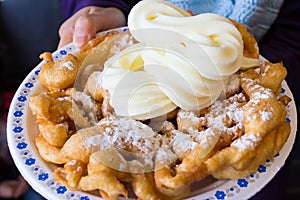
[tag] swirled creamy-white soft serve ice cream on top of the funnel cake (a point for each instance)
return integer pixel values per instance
(179, 61)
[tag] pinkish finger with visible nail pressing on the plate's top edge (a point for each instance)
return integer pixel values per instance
(84, 30)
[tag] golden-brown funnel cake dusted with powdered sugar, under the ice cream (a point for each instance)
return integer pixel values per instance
(97, 150)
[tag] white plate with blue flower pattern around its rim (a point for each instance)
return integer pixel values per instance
(21, 131)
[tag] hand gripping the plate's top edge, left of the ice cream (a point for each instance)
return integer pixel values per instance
(84, 24)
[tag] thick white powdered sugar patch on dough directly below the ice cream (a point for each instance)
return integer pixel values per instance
(139, 140)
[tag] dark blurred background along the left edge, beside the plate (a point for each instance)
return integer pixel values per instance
(27, 29)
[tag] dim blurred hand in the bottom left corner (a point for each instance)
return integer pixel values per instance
(13, 188)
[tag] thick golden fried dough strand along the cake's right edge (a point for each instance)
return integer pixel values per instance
(263, 116)
